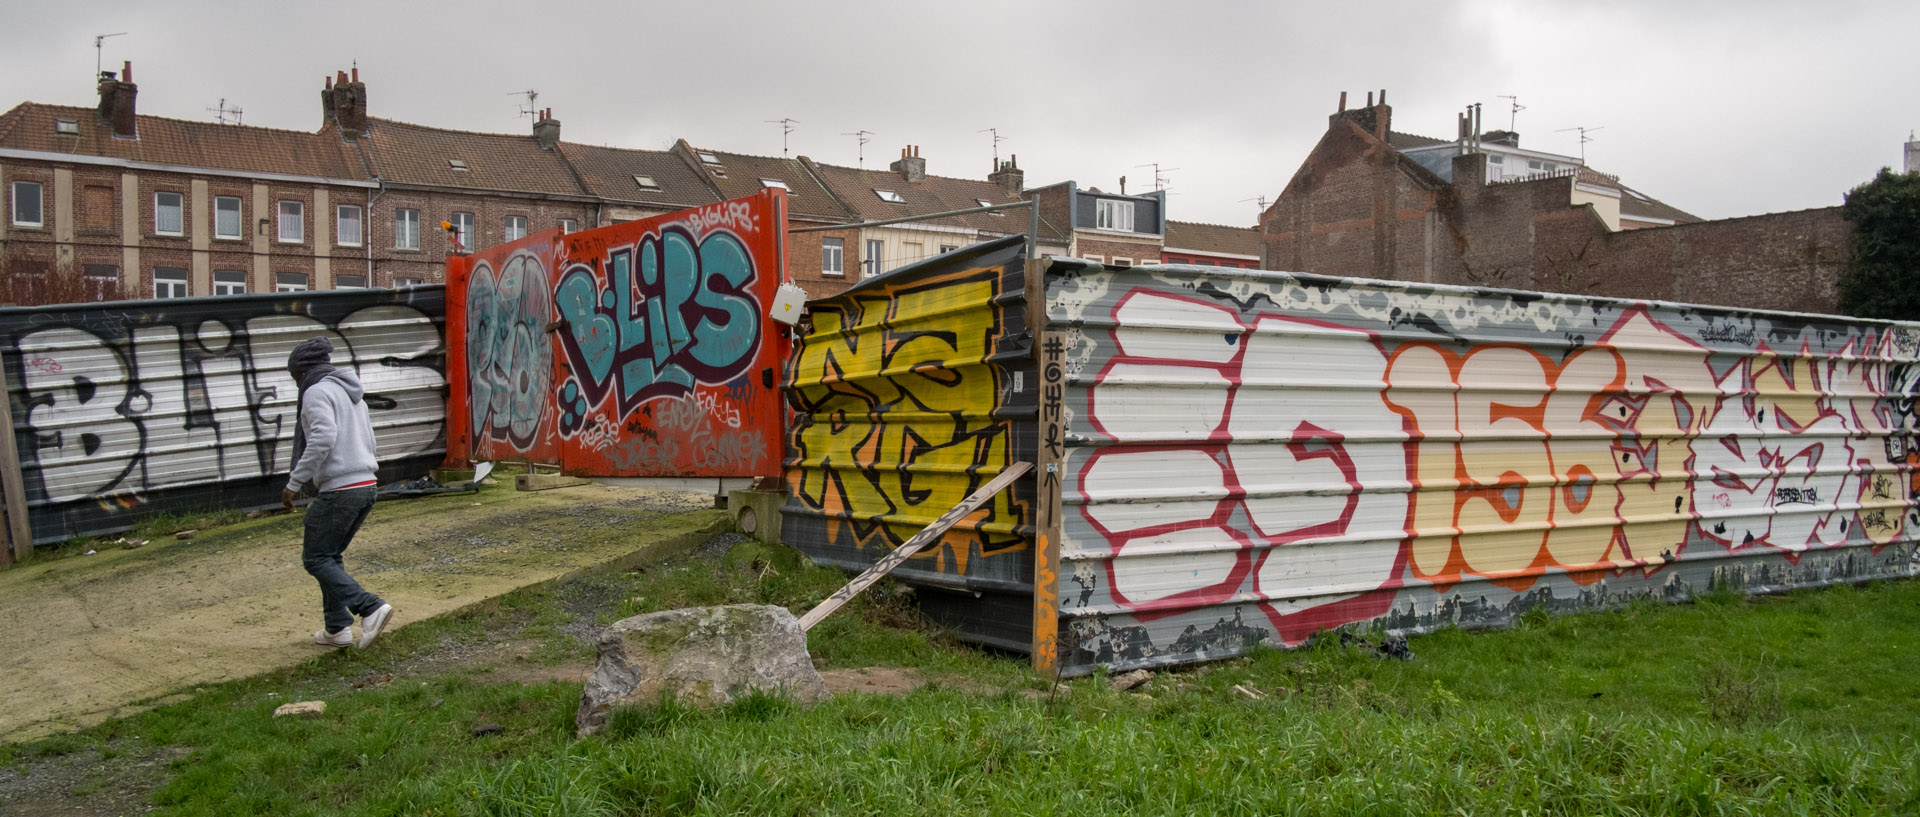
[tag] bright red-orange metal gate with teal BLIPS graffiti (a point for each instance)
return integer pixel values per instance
(629, 350)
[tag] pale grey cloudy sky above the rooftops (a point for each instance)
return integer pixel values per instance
(1719, 108)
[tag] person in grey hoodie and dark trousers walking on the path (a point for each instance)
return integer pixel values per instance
(333, 457)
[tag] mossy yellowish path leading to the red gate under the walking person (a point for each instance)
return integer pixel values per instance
(93, 638)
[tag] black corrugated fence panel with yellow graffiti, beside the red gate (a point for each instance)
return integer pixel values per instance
(913, 390)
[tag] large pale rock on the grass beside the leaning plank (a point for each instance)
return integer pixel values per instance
(704, 657)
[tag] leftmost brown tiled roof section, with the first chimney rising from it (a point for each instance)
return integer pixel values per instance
(183, 143)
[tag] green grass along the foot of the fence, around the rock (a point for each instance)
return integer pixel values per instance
(1731, 707)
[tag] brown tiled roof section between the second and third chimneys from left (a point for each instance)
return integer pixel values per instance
(418, 154)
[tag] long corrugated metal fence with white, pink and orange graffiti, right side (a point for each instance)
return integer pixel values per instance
(1257, 457)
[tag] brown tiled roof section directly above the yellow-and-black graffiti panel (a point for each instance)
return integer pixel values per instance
(932, 195)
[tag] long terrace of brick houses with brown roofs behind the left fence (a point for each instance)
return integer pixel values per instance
(162, 208)
